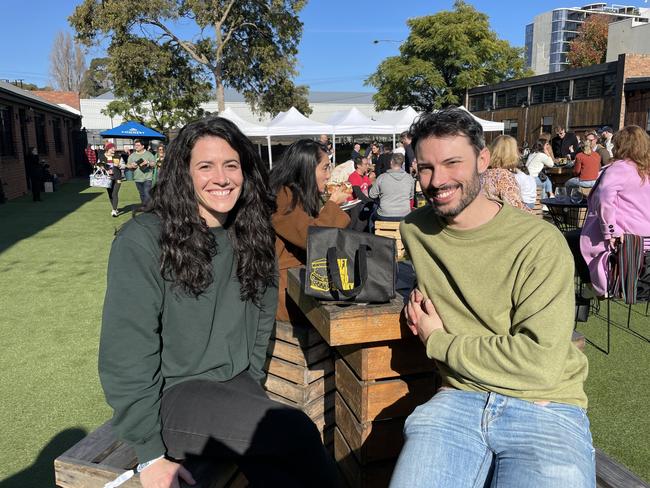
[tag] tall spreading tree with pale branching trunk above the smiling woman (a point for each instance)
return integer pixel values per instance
(250, 46)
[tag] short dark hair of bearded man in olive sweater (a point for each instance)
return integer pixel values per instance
(450, 121)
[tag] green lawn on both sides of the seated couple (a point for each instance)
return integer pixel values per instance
(52, 281)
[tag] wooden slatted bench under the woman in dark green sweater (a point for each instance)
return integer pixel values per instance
(99, 458)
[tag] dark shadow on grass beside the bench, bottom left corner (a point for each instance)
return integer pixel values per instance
(41, 473)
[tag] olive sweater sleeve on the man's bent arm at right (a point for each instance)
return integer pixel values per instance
(532, 356)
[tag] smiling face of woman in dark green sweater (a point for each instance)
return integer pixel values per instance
(217, 176)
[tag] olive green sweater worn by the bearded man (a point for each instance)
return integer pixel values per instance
(504, 292)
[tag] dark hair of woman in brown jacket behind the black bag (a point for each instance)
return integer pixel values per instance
(297, 171)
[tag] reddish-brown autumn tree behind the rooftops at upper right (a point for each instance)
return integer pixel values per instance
(590, 45)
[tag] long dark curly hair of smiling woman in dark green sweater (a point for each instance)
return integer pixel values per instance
(187, 245)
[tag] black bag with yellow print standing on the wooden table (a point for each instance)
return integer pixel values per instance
(349, 266)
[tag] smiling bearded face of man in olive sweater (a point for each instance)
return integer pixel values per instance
(449, 173)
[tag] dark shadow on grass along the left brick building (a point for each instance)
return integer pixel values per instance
(22, 218)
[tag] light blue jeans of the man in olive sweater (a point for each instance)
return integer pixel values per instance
(470, 439)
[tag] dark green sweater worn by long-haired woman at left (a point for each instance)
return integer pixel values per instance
(155, 336)
